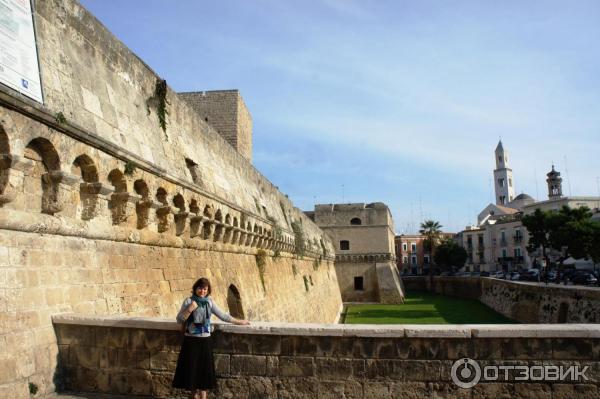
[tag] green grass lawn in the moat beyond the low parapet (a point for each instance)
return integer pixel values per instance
(422, 307)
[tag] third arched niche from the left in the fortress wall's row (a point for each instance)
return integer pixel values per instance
(88, 190)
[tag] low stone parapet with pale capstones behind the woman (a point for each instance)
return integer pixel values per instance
(137, 356)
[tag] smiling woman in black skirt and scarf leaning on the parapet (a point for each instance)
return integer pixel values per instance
(195, 366)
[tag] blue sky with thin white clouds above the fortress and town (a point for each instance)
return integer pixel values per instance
(401, 102)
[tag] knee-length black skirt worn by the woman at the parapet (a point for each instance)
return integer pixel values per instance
(195, 365)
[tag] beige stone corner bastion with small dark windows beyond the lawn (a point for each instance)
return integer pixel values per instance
(363, 236)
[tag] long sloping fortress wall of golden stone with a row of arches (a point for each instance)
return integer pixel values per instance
(103, 212)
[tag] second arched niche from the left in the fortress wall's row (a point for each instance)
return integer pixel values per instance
(46, 167)
